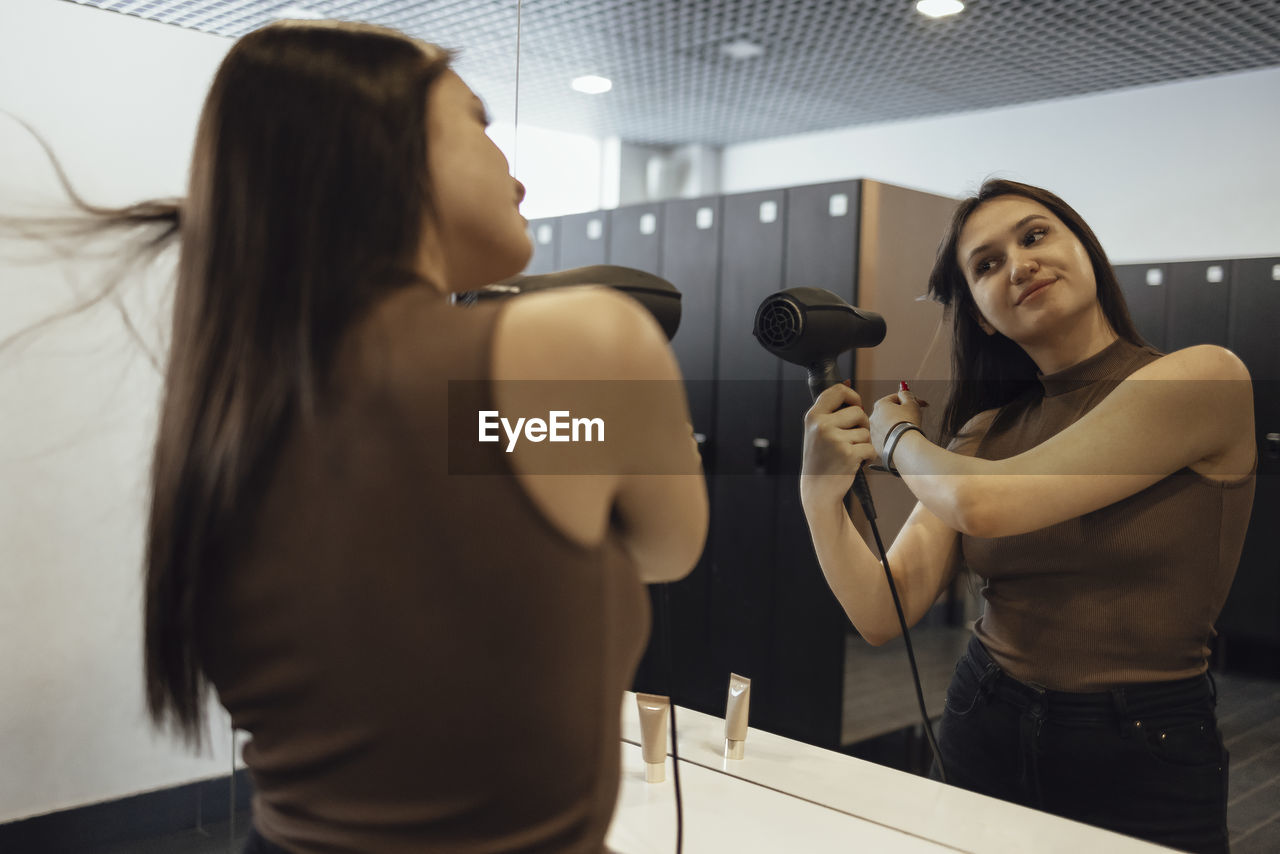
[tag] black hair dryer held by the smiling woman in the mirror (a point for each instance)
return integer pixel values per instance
(812, 327)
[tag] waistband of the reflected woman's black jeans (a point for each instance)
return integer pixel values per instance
(1127, 701)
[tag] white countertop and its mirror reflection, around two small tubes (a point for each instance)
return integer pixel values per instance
(787, 796)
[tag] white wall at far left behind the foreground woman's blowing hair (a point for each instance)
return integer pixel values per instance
(117, 99)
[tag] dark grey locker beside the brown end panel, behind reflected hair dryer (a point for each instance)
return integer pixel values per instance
(808, 669)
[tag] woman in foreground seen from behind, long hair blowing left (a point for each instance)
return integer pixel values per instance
(426, 636)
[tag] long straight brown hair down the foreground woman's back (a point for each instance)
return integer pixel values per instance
(308, 202)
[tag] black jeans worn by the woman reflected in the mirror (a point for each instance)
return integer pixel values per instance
(1141, 760)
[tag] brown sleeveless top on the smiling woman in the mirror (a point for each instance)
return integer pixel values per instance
(1127, 593)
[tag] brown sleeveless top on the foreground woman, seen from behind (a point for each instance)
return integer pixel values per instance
(423, 663)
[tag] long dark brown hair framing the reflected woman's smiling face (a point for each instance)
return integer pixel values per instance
(991, 371)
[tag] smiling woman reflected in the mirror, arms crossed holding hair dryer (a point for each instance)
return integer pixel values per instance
(1085, 691)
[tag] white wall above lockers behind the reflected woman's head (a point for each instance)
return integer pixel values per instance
(1182, 171)
